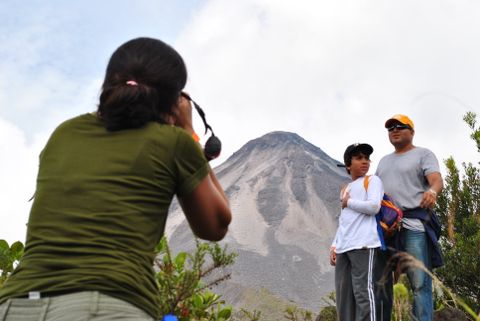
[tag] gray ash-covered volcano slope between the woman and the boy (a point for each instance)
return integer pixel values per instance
(284, 195)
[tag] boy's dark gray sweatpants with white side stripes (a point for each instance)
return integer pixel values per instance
(358, 291)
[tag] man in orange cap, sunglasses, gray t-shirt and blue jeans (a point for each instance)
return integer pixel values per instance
(411, 176)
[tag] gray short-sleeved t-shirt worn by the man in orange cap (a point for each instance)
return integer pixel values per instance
(404, 178)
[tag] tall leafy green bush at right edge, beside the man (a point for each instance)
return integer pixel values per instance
(458, 208)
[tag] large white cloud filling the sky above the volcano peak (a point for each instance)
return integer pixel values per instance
(335, 71)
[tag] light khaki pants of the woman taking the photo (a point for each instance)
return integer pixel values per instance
(79, 306)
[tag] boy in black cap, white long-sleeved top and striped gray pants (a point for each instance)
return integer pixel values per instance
(355, 251)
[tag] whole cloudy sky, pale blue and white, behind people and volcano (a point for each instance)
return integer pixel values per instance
(331, 71)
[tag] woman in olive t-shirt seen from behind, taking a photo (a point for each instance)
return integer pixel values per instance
(104, 186)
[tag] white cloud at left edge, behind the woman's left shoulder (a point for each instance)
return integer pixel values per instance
(21, 143)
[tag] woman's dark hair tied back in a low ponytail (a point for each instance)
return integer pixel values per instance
(155, 73)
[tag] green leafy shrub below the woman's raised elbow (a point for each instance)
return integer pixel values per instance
(182, 289)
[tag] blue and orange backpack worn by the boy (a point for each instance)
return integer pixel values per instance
(389, 217)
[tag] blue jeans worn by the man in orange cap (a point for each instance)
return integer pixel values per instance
(416, 244)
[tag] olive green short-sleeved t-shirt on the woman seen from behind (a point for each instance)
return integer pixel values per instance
(100, 208)
